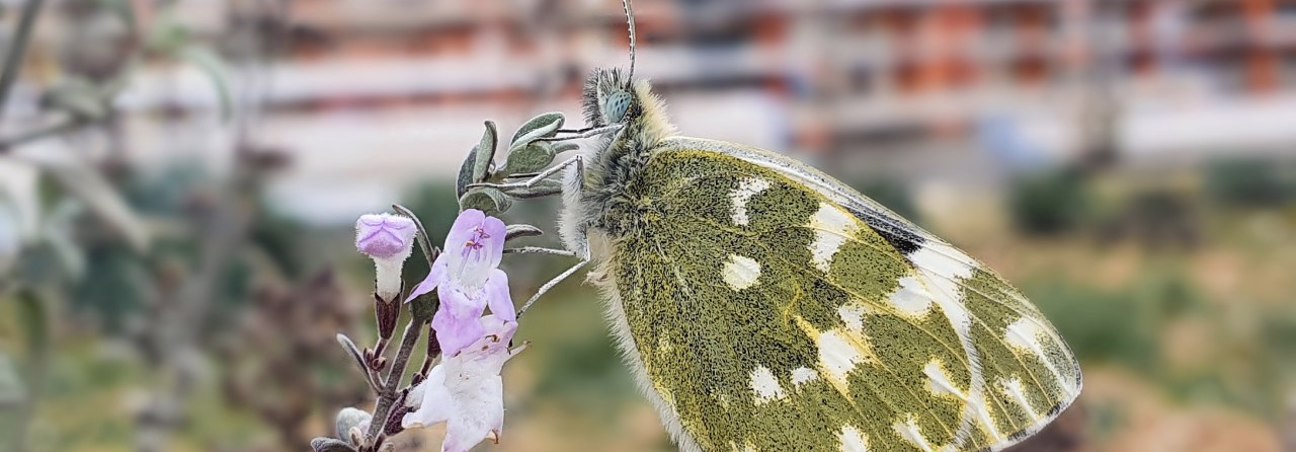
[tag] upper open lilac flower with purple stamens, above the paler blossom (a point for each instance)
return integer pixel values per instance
(467, 280)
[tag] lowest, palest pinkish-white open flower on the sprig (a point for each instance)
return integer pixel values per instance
(466, 390)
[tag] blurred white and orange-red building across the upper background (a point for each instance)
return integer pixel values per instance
(373, 96)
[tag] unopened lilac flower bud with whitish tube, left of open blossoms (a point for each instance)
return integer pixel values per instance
(388, 240)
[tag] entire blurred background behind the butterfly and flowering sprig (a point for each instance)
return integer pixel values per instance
(179, 179)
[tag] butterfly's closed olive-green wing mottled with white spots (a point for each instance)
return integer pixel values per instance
(777, 315)
